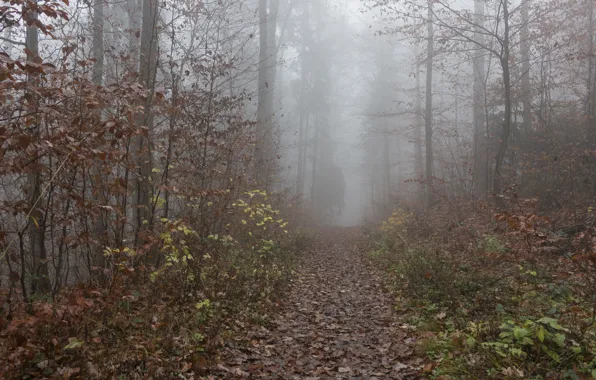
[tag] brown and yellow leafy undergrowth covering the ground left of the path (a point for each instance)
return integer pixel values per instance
(165, 311)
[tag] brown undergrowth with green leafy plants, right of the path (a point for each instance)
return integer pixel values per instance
(491, 301)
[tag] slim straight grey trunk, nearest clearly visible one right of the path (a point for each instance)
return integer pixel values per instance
(428, 128)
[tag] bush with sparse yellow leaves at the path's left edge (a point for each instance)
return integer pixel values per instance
(247, 263)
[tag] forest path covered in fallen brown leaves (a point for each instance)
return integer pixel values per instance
(336, 323)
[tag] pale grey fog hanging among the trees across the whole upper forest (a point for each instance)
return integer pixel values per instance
(350, 108)
